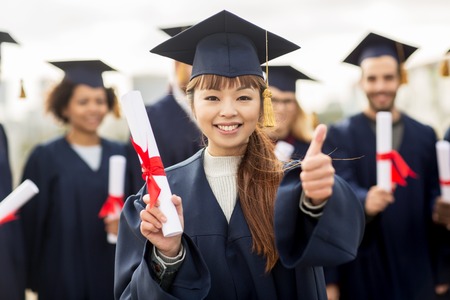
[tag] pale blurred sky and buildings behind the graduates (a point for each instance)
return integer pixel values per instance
(121, 33)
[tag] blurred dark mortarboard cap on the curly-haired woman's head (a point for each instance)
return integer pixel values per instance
(87, 72)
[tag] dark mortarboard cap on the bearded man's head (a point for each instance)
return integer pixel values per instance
(374, 45)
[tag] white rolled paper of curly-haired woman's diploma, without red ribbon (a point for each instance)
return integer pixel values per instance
(116, 183)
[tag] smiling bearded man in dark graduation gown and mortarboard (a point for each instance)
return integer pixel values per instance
(396, 258)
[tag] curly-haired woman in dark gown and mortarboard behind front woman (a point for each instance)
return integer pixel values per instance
(68, 256)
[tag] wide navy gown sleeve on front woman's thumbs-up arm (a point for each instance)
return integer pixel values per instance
(331, 240)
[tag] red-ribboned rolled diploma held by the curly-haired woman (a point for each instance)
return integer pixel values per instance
(116, 187)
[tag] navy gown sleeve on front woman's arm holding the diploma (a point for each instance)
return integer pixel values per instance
(133, 276)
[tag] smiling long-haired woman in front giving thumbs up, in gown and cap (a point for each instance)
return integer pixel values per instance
(252, 228)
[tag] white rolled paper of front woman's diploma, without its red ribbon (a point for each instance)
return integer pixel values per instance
(142, 134)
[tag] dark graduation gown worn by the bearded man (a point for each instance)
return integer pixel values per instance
(395, 259)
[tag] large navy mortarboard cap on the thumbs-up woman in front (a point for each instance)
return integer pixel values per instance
(226, 45)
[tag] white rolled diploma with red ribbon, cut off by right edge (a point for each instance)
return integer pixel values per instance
(443, 157)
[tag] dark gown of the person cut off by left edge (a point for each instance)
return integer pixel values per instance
(12, 264)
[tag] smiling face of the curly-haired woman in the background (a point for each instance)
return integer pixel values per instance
(86, 109)
